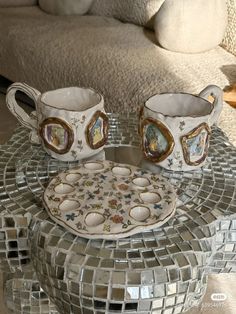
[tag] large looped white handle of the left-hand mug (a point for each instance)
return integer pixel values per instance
(29, 121)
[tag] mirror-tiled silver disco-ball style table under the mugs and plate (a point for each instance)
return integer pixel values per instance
(159, 271)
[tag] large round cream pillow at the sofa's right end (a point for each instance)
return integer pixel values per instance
(191, 26)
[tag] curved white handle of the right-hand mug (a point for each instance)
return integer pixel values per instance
(217, 93)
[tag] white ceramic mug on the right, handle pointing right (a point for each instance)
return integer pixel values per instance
(175, 128)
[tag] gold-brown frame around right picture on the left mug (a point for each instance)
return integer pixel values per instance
(105, 129)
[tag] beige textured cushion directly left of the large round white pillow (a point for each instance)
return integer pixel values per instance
(140, 12)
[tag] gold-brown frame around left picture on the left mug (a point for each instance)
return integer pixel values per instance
(65, 126)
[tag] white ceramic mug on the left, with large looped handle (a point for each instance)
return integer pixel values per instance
(71, 123)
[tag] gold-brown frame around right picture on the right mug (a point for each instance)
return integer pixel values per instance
(195, 132)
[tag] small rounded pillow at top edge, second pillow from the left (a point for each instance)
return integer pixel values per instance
(65, 7)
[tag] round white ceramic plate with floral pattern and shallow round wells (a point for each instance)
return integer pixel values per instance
(103, 199)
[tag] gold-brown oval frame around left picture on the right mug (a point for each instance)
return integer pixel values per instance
(165, 131)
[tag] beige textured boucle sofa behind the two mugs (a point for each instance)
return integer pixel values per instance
(121, 60)
